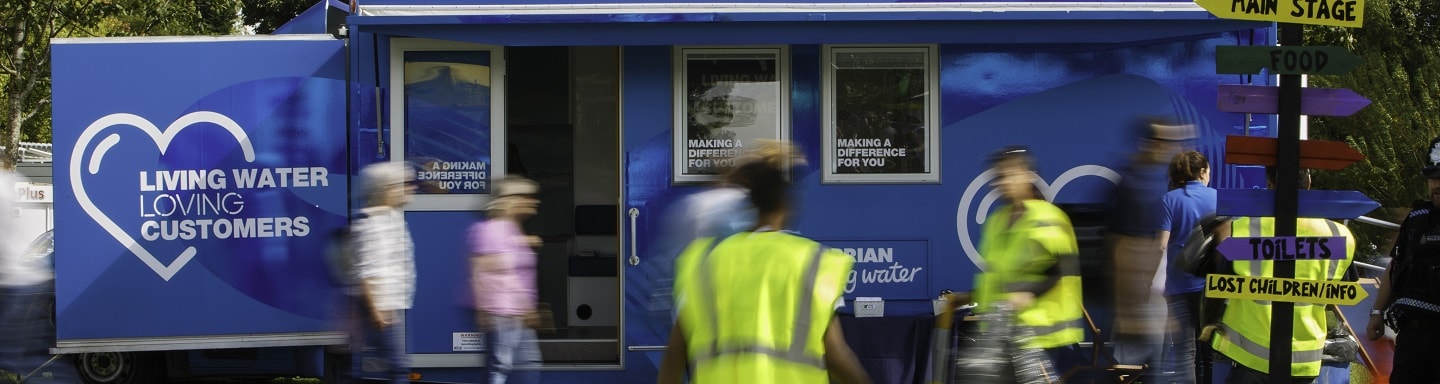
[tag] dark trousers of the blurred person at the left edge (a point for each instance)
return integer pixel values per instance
(27, 334)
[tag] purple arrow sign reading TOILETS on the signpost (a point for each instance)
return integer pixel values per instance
(1284, 248)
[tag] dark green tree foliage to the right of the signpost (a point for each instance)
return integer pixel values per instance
(1400, 48)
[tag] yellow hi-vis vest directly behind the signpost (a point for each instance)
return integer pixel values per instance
(1245, 329)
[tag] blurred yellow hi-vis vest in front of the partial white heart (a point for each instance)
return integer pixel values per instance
(1017, 255)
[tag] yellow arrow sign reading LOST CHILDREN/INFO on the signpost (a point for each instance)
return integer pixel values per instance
(1232, 287)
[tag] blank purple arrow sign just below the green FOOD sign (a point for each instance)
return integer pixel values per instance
(1266, 100)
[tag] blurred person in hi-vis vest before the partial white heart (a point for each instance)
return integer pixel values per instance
(1032, 261)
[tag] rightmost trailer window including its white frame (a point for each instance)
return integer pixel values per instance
(881, 114)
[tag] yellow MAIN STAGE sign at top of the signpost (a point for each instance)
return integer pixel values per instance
(1341, 14)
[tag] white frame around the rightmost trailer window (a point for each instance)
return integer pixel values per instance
(932, 126)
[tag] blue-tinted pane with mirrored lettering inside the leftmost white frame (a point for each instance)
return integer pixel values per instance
(449, 107)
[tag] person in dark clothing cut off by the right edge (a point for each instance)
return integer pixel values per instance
(1409, 298)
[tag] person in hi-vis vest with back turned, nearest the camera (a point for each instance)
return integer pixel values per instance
(760, 306)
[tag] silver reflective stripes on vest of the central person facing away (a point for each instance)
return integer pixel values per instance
(797, 352)
